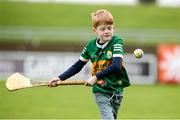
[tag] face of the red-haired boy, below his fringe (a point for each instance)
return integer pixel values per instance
(104, 32)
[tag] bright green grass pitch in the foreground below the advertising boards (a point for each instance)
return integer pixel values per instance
(70, 102)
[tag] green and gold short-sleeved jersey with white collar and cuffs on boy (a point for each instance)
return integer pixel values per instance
(101, 57)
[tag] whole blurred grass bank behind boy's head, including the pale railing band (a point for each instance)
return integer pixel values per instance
(38, 19)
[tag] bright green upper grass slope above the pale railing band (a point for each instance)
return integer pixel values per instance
(69, 15)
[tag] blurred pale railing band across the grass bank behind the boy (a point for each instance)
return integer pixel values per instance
(52, 33)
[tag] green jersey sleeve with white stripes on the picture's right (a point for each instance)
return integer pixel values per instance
(118, 50)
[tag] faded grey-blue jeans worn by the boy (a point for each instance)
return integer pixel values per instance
(108, 105)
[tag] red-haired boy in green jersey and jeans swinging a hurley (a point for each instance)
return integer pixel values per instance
(109, 77)
